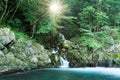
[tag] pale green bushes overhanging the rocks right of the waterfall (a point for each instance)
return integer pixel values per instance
(98, 40)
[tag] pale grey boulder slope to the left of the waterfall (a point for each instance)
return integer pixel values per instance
(17, 53)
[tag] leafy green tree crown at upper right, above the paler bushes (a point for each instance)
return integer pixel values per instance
(89, 18)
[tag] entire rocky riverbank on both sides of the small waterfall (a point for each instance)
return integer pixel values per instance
(19, 54)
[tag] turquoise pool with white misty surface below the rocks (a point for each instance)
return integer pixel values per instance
(66, 74)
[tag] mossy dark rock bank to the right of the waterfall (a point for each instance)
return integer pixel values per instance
(81, 56)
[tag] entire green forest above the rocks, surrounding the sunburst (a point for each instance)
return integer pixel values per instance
(93, 24)
